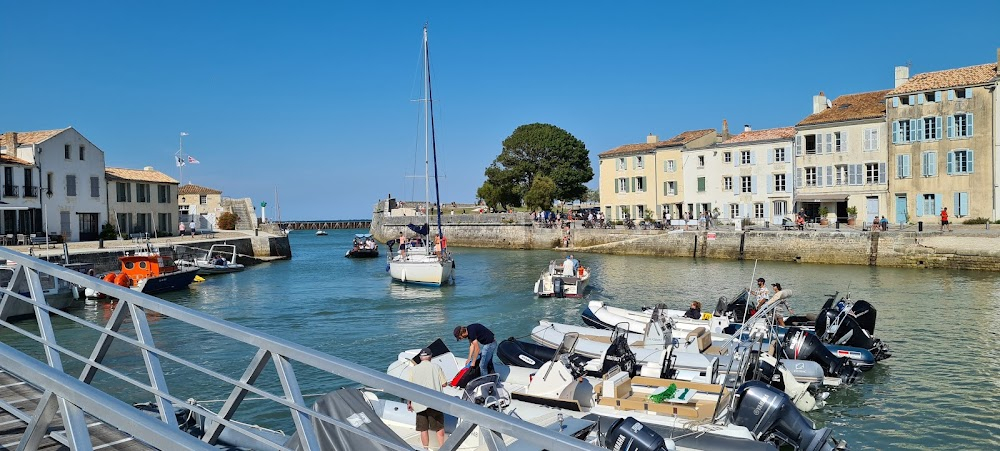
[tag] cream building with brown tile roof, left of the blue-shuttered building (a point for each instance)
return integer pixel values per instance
(841, 158)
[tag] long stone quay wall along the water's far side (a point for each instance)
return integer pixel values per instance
(964, 249)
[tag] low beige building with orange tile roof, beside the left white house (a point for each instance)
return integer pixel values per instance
(142, 201)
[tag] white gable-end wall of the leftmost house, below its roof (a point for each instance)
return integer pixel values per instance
(62, 203)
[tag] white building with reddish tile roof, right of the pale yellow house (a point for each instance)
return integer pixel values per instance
(754, 175)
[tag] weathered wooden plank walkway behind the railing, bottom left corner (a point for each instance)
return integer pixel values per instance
(18, 396)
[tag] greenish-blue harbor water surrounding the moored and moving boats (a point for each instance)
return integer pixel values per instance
(938, 391)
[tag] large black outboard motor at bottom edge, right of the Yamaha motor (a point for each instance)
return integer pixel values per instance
(772, 417)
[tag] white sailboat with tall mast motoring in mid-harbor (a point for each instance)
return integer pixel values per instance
(425, 262)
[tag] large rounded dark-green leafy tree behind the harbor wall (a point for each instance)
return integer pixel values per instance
(535, 150)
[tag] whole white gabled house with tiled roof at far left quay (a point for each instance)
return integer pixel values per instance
(64, 173)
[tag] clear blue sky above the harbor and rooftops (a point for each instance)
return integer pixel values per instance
(315, 99)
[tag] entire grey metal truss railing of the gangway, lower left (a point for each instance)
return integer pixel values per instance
(78, 394)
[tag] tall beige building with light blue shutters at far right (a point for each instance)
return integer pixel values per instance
(941, 147)
